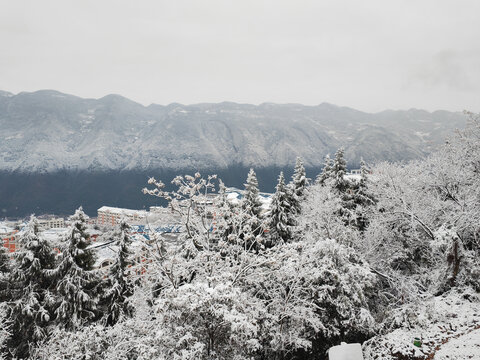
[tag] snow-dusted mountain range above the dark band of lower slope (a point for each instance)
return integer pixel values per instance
(46, 131)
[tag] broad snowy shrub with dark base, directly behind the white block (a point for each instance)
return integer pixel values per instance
(316, 293)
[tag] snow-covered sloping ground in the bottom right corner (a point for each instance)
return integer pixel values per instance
(449, 328)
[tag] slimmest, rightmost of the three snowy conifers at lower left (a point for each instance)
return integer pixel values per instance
(120, 285)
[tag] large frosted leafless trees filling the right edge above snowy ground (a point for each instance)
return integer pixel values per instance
(424, 232)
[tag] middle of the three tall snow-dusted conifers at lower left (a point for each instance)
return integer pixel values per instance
(78, 284)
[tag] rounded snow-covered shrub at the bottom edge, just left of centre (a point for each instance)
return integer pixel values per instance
(203, 321)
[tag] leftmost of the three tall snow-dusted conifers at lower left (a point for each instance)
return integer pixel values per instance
(31, 301)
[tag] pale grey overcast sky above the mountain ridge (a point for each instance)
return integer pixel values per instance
(371, 54)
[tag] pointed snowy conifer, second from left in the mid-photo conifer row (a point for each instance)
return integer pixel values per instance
(280, 218)
